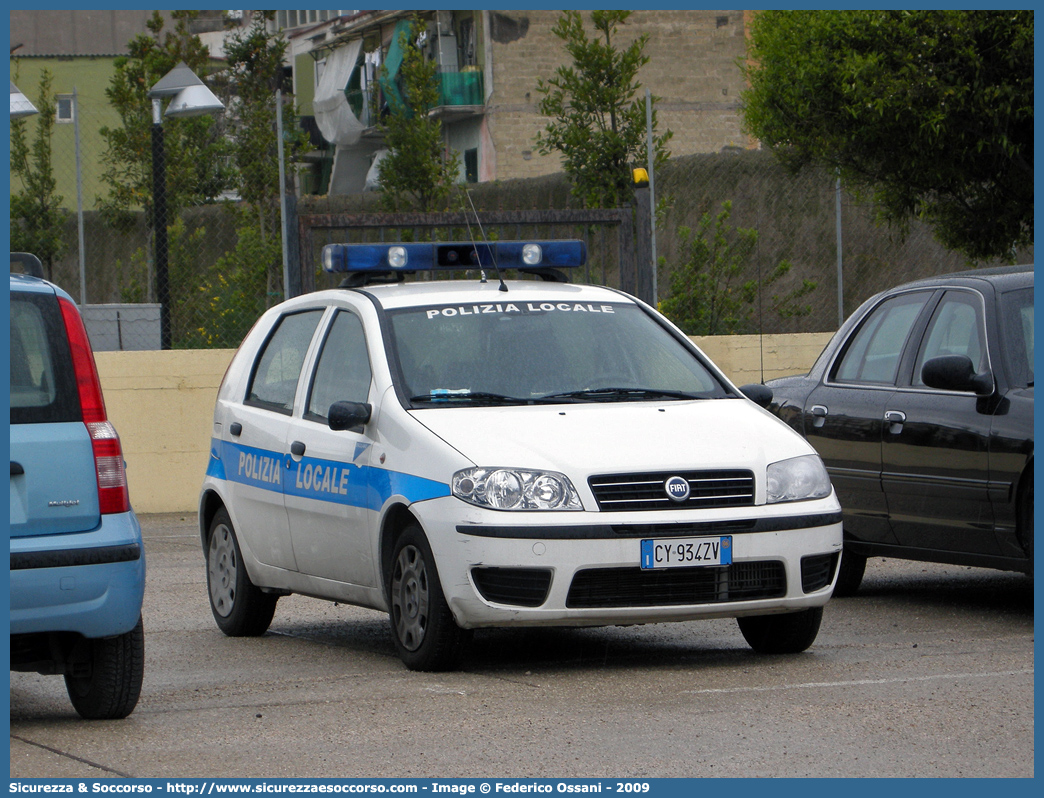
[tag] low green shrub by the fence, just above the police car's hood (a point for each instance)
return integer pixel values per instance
(708, 295)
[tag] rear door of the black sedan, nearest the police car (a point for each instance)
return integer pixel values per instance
(844, 416)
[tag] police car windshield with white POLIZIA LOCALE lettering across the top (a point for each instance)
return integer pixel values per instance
(542, 353)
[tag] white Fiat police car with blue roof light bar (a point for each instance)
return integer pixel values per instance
(470, 454)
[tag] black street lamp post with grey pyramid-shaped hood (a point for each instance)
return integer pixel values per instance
(192, 98)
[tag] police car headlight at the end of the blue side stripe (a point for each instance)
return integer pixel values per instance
(515, 489)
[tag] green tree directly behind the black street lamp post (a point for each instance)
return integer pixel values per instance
(196, 151)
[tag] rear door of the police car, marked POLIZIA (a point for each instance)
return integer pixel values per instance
(254, 436)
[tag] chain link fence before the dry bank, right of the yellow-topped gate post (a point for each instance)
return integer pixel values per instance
(800, 221)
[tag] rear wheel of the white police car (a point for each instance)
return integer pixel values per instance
(240, 607)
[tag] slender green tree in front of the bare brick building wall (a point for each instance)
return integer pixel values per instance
(599, 124)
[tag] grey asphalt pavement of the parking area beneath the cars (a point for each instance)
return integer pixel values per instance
(929, 672)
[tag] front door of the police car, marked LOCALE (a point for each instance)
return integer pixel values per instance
(327, 488)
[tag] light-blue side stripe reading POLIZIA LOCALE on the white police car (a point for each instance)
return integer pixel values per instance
(323, 480)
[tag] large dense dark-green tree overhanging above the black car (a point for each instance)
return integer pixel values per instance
(928, 113)
